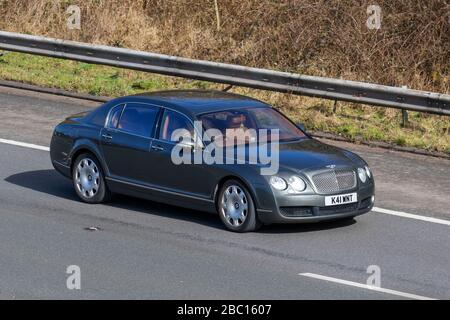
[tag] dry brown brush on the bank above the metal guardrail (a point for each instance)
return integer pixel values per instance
(324, 37)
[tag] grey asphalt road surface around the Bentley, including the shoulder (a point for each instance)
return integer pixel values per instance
(149, 250)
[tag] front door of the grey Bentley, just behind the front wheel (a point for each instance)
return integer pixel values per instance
(194, 179)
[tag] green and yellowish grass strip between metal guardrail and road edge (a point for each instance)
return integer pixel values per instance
(353, 121)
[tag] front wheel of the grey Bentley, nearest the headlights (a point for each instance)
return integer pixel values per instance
(236, 208)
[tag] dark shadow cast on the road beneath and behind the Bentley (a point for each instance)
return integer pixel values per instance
(51, 182)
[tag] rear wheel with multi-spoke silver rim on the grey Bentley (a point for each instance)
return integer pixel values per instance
(88, 179)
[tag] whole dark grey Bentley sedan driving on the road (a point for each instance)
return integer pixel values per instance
(175, 147)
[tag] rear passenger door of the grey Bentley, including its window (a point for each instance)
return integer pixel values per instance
(126, 140)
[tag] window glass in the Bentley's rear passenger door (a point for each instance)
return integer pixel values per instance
(138, 119)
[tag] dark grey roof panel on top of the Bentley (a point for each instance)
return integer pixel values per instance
(195, 102)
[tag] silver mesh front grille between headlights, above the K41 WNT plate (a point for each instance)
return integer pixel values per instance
(335, 180)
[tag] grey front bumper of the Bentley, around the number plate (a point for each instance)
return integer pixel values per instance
(311, 208)
